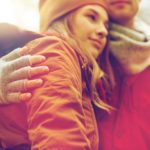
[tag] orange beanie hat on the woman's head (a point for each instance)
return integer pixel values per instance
(50, 10)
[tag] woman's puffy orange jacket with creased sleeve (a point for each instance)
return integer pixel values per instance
(60, 114)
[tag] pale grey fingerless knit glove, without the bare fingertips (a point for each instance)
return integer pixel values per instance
(11, 74)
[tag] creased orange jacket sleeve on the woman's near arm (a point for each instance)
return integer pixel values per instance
(55, 113)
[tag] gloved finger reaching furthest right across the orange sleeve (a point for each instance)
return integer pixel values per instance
(28, 72)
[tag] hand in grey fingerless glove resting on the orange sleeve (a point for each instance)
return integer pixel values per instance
(15, 76)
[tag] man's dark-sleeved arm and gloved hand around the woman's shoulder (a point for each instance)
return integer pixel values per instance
(16, 69)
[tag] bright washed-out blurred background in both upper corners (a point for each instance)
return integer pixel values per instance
(24, 13)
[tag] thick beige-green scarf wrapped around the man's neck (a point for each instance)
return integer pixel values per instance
(131, 47)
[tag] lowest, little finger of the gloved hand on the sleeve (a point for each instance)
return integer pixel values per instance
(17, 97)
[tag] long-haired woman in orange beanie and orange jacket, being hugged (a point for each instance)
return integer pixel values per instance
(60, 113)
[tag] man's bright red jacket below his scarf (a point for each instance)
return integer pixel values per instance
(128, 128)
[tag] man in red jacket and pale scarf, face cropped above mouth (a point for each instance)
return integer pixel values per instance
(127, 128)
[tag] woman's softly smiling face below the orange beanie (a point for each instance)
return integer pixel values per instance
(90, 26)
